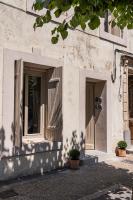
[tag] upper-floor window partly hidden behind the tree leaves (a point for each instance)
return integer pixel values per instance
(108, 26)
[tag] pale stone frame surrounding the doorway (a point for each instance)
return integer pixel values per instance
(94, 75)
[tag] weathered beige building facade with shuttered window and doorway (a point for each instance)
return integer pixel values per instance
(53, 97)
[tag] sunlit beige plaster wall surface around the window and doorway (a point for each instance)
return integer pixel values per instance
(78, 52)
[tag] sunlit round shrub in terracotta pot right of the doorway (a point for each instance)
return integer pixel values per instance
(121, 149)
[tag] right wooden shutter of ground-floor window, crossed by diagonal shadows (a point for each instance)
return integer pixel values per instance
(54, 105)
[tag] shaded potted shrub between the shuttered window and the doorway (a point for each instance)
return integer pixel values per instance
(74, 158)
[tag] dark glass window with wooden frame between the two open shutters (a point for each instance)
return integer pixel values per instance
(33, 103)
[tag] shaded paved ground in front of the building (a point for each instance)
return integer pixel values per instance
(79, 184)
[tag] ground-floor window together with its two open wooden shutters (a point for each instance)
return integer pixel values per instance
(38, 102)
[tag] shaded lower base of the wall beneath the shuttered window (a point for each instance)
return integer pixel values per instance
(12, 167)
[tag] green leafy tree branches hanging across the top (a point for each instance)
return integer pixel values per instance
(84, 13)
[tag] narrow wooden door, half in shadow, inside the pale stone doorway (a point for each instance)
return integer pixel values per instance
(90, 118)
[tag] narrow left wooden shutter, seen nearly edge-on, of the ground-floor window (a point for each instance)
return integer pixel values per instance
(18, 103)
